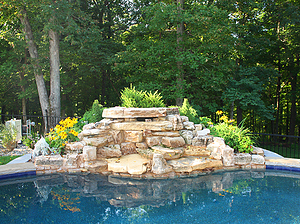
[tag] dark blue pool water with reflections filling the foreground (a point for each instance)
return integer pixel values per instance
(229, 197)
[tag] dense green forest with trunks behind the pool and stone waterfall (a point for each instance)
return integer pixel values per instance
(241, 57)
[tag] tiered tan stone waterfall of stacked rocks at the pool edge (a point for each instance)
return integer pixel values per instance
(146, 143)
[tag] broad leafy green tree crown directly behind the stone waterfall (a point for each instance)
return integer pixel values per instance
(151, 57)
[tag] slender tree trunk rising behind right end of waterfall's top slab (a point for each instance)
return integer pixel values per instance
(180, 78)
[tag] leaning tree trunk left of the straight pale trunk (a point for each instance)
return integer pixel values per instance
(40, 82)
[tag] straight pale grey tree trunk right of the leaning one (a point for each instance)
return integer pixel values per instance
(54, 78)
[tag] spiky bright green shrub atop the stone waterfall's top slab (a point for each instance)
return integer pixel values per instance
(131, 97)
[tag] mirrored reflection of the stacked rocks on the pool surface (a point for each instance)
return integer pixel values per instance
(123, 192)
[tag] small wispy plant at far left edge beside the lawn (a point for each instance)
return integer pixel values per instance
(8, 136)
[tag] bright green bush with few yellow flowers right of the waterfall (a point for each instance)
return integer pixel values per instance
(236, 137)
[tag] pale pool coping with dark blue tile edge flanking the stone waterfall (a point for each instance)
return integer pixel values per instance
(21, 167)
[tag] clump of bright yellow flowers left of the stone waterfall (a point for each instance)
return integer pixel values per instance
(66, 131)
